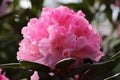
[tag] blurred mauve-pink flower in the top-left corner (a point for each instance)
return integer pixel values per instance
(3, 7)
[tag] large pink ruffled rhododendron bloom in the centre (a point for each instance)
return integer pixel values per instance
(59, 33)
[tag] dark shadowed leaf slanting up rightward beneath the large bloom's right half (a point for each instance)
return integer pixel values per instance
(79, 70)
